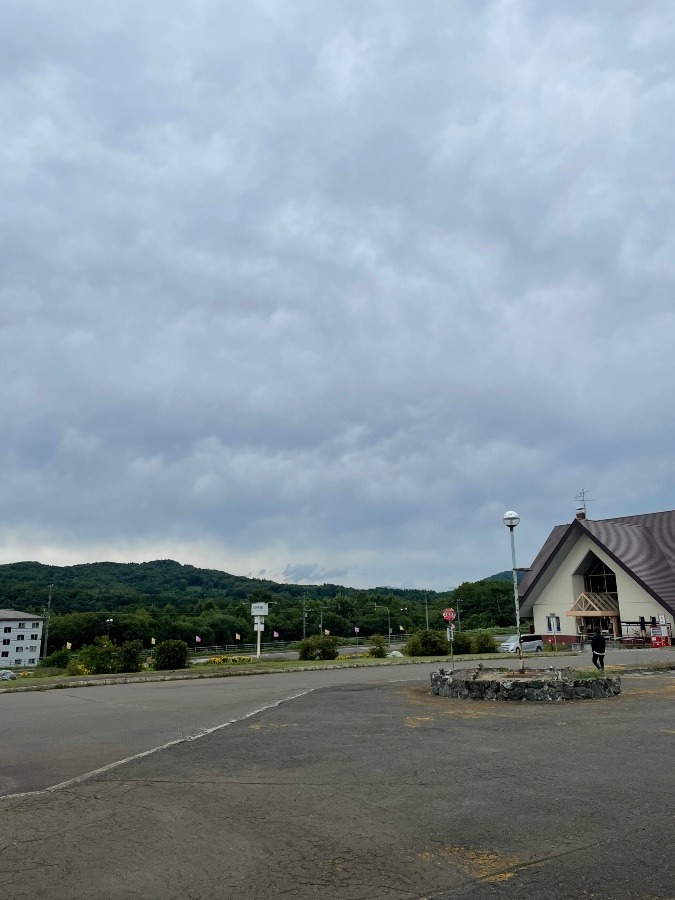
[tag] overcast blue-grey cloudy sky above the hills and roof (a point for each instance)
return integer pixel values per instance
(316, 292)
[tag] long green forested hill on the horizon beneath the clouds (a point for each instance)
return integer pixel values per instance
(109, 586)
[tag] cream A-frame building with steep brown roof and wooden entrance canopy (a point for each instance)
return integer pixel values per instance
(616, 573)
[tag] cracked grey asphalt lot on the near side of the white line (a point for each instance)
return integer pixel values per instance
(371, 788)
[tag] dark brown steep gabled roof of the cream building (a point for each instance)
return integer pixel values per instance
(644, 546)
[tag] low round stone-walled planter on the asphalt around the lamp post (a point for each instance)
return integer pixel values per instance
(538, 688)
